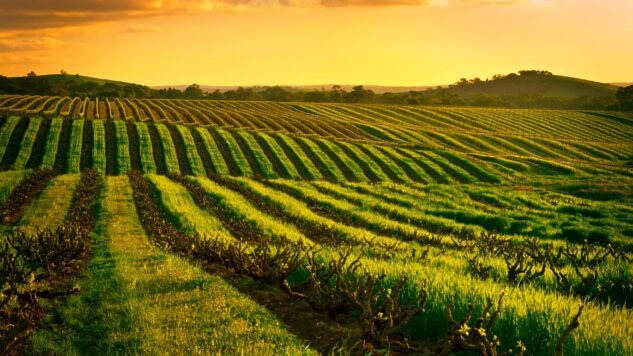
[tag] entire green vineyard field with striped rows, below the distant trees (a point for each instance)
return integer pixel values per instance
(186, 226)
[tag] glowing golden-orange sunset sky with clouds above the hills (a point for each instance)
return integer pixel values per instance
(295, 42)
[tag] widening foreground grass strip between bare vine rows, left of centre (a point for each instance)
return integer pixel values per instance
(138, 299)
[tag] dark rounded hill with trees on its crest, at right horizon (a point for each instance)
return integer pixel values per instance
(533, 83)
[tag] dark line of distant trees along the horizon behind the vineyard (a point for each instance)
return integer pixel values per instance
(74, 85)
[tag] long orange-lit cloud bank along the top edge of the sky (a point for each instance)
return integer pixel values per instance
(31, 15)
